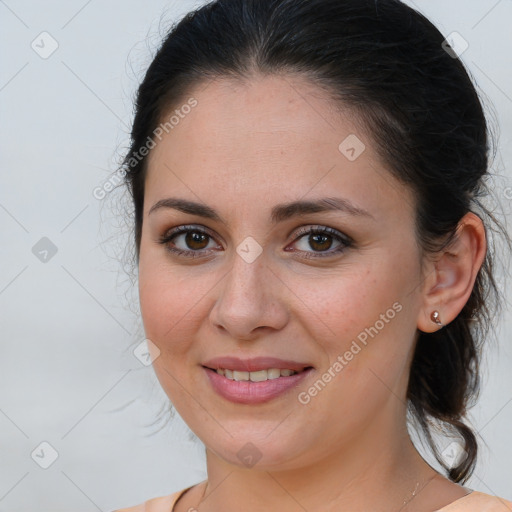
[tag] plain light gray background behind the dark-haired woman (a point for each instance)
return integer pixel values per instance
(67, 374)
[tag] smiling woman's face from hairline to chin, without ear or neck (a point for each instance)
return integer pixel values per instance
(252, 282)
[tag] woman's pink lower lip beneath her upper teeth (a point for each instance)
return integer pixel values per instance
(247, 392)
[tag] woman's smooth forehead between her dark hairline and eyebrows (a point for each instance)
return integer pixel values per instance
(270, 136)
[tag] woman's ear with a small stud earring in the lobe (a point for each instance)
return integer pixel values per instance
(451, 277)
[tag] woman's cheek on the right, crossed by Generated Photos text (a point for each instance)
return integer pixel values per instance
(364, 324)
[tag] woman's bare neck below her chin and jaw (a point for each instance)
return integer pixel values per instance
(377, 470)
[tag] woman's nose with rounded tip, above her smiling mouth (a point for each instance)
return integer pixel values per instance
(251, 300)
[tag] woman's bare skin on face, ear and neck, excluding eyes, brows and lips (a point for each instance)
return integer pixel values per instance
(242, 150)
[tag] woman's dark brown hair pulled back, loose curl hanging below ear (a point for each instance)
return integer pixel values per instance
(388, 63)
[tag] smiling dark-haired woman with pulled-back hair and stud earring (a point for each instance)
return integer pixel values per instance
(312, 253)
